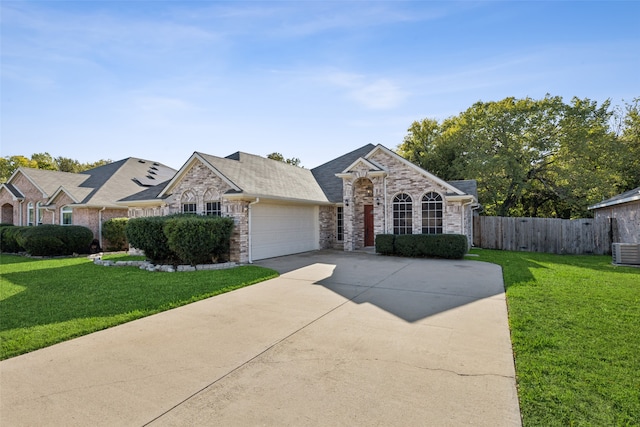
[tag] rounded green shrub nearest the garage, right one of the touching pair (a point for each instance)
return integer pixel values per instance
(198, 239)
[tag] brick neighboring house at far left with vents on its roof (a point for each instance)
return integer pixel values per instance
(36, 196)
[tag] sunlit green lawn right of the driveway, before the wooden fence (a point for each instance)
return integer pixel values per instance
(575, 328)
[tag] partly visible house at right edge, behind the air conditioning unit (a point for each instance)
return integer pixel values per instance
(625, 208)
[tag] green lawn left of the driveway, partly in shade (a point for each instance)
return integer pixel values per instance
(46, 301)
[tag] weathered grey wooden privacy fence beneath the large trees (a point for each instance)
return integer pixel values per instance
(552, 235)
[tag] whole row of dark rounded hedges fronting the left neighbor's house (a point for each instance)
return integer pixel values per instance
(46, 240)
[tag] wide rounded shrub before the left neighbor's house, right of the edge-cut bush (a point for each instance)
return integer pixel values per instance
(51, 240)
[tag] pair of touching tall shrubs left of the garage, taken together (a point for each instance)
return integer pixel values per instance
(181, 238)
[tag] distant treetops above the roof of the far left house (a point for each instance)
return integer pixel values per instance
(9, 164)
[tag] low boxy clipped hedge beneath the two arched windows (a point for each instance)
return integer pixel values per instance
(451, 246)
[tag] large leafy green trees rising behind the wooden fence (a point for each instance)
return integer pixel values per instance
(533, 157)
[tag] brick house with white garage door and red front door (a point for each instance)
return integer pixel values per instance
(281, 209)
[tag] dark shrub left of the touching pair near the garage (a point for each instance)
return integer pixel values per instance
(147, 235)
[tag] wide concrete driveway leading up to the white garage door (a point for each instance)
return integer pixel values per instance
(337, 339)
